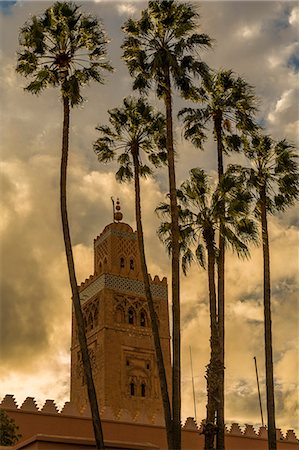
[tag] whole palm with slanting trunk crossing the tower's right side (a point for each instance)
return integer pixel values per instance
(134, 128)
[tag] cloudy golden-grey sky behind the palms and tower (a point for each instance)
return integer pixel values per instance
(255, 39)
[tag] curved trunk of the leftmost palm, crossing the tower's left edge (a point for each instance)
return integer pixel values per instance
(73, 282)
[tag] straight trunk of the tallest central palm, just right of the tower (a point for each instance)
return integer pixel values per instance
(175, 266)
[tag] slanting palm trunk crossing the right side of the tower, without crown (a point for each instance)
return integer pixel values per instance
(153, 315)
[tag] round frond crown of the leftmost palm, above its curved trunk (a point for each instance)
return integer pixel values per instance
(62, 48)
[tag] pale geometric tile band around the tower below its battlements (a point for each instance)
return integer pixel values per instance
(121, 284)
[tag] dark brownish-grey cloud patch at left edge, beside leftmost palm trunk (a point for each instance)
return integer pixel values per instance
(24, 295)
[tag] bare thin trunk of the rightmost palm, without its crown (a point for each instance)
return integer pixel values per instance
(268, 325)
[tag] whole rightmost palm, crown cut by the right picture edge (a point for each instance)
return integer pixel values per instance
(274, 179)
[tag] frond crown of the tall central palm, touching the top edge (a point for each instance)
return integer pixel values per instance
(161, 41)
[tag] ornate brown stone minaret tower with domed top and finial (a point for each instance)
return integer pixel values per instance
(118, 328)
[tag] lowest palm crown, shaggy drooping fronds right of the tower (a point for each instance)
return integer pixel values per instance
(200, 213)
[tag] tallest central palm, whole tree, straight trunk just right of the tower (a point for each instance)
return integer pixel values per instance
(160, 49)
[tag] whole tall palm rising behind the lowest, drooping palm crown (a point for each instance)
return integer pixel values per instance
(228, 103)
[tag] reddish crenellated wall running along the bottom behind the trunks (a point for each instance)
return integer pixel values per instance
(49, 420)
